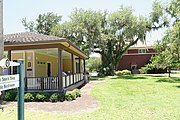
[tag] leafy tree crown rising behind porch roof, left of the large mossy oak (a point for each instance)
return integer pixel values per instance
(84, 28)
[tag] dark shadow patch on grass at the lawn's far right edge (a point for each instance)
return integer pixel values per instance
(170, 80)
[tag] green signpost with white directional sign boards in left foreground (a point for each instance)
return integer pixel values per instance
(14, 81)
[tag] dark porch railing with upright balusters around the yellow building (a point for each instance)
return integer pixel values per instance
(51, 83)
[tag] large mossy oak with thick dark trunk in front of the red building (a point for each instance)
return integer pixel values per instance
(123, 30)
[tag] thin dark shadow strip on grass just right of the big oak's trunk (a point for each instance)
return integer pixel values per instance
(130, 77)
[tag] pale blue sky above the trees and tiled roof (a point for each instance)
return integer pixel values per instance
(16, 10)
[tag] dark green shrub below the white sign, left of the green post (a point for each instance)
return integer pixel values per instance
(10, 95)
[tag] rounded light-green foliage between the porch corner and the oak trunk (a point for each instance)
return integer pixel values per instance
(93, 64)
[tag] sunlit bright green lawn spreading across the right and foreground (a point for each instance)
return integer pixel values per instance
(138, 97)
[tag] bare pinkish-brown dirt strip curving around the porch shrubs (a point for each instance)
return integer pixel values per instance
(85, 103)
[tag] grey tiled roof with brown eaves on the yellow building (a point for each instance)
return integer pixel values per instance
(27, 41)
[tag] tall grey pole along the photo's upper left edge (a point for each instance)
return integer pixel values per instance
(1, 35)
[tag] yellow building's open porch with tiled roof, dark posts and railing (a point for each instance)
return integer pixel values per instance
(45, 59)
